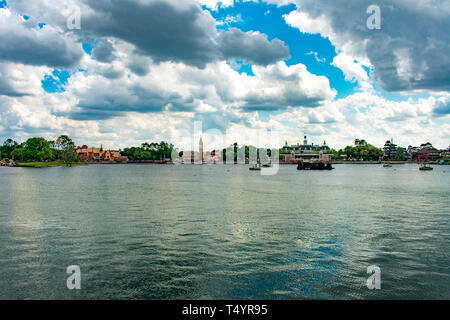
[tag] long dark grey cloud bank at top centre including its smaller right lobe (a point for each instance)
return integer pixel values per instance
(185, 33)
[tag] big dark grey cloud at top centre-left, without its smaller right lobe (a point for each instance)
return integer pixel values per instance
(157, 28)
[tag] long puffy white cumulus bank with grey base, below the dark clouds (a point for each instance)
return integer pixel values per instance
(180, 88)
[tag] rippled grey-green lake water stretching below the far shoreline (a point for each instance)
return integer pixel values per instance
(224, 232)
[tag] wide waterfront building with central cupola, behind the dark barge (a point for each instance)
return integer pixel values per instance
(304, 152)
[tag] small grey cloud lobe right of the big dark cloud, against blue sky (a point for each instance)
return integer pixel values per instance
(252, 47)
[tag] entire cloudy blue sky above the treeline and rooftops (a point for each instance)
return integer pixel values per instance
(119, 73)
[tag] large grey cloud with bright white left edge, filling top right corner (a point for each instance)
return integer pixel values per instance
(408, 53)
